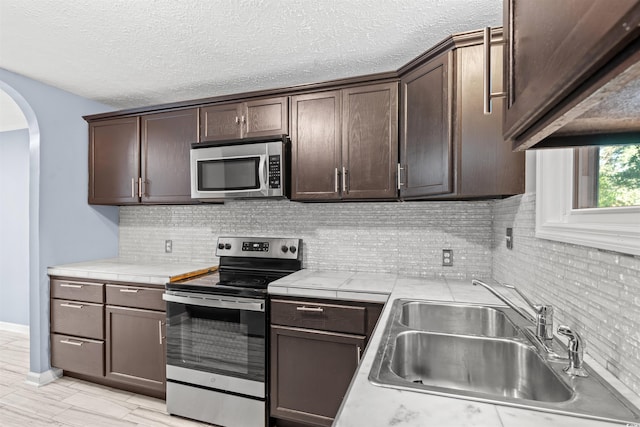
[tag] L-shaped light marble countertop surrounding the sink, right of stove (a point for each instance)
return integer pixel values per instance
(370, 405)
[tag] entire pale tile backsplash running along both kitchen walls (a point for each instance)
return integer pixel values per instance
(598, 292)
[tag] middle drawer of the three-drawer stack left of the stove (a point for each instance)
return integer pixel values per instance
(77, 318)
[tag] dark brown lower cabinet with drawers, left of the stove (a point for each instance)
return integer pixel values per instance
(111, 334)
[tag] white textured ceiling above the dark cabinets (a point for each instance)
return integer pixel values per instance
(132, 53)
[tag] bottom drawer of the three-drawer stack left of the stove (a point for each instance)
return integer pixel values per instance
(77, 355)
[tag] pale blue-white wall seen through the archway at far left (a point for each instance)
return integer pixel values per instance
(14, 227)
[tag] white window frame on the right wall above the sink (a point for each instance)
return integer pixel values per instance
(614, 229)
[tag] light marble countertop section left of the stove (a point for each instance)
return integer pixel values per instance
(124, 270)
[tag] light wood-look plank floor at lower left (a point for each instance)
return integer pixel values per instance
(68, 401)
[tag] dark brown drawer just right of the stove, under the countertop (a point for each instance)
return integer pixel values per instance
(326, 317)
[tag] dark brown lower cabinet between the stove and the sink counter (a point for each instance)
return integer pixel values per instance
(316, 346)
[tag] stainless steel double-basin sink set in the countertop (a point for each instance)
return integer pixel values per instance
(483, 353)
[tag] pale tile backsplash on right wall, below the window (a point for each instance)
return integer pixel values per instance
(597, 292)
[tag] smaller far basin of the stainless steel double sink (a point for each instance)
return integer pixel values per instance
(463, 319)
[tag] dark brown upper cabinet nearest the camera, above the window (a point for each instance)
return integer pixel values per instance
(569, 65)
